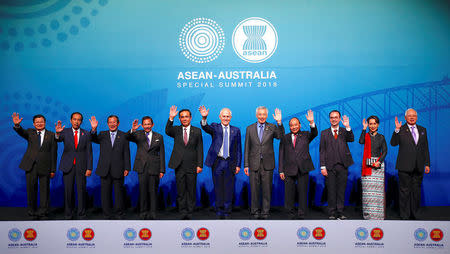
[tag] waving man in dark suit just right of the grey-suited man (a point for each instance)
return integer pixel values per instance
(295, 163)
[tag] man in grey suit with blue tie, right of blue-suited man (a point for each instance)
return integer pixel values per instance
(259, 156)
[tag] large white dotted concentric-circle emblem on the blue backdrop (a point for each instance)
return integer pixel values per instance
(202, 40)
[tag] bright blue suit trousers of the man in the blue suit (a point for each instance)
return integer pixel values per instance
(223, 178)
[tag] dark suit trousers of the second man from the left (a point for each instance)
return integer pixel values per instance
(69, 197)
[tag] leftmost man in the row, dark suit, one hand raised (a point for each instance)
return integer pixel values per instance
(38, 162)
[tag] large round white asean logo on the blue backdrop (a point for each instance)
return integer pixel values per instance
(255, 40)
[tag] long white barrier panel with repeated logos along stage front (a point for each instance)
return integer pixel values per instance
(220, 236)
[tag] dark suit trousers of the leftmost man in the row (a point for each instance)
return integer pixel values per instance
(32, 178)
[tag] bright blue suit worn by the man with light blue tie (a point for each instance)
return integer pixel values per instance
(223, 169)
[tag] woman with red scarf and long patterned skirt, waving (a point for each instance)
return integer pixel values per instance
(372, 176)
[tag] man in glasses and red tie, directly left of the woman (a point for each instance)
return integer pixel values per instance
(335, 158)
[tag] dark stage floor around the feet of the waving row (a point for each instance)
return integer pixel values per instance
(430, 213)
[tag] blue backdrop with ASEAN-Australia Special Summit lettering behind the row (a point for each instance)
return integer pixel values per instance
(135, 58)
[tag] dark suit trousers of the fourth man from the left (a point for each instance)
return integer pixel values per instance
(148, 194)
